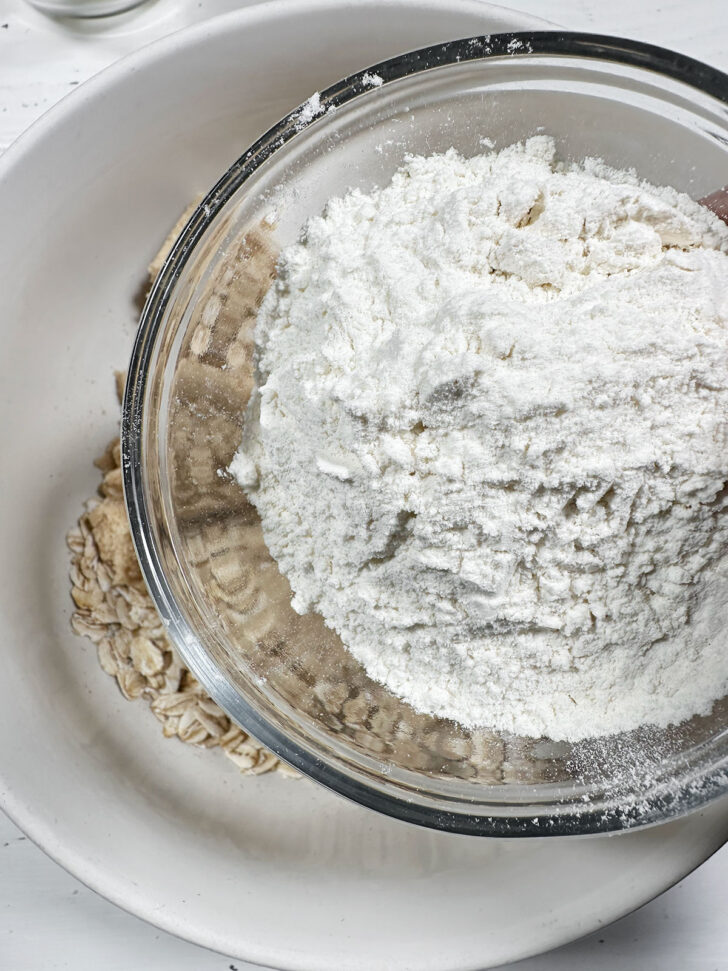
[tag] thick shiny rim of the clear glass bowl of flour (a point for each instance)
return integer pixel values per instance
(567, 818)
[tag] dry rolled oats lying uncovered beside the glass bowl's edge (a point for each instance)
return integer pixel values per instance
(115, 611)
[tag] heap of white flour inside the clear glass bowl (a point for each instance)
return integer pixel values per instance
(489, 444)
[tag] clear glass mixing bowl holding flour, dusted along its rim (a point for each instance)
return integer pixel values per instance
(286, 678)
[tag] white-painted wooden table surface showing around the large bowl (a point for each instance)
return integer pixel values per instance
(48, 920)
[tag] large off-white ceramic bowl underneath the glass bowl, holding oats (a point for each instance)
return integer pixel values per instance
(279, 872)
